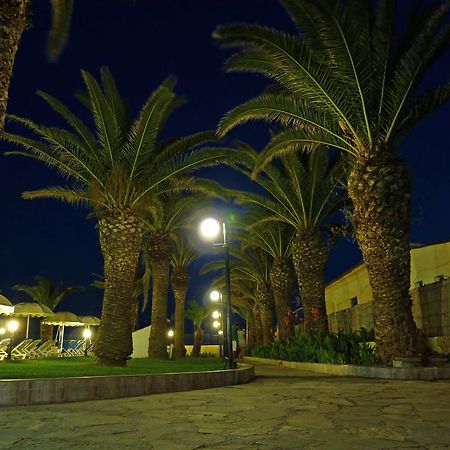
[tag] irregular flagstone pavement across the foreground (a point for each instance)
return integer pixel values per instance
(281, 409)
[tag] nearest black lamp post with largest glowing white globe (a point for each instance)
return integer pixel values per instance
(210, 229)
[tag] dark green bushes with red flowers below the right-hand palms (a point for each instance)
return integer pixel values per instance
(311, 346)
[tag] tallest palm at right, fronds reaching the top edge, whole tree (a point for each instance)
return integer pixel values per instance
(349, 80)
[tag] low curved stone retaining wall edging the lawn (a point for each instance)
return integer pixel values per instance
(59, 390)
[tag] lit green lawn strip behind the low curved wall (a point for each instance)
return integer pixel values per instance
(85, 366)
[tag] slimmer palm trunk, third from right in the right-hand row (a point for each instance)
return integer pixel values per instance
(281, 284)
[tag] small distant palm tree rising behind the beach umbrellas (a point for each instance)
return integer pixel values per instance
(48, 294)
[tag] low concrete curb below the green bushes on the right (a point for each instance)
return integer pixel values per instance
(346, 370)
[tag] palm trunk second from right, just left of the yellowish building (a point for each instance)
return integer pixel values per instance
(310, 256)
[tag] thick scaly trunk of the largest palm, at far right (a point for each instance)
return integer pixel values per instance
(380, 189)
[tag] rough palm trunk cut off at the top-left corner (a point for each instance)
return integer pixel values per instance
(14, 16)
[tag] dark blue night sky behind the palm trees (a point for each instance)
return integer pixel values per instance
(142, 42)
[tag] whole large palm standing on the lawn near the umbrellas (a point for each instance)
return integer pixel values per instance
(117, 171)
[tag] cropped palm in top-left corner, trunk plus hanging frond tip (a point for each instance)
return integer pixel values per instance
(14, 19)
